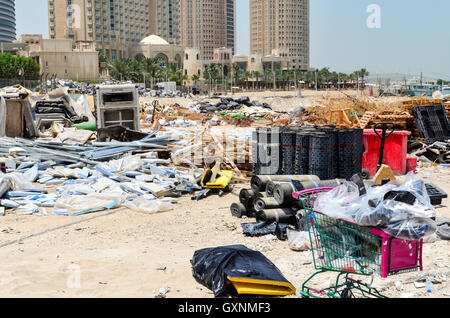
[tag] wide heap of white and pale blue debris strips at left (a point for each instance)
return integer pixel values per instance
(75, 180)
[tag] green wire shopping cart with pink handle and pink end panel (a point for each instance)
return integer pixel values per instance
(351, 249)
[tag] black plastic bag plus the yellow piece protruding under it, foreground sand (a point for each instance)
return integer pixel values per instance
(222, 268)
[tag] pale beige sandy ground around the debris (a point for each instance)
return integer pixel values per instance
(130, 254)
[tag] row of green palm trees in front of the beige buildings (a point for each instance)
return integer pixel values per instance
(150, 70)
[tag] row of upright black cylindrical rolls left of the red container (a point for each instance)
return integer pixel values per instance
(325, 151)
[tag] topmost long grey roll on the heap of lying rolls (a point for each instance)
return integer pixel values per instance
(283, 191)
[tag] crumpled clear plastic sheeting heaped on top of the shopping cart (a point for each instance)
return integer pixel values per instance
(401, 211)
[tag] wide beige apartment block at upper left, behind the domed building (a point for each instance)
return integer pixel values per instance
(114, 25)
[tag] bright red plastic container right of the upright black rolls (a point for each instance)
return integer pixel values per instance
(395, 151)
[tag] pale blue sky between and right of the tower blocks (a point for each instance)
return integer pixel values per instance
(412, 37)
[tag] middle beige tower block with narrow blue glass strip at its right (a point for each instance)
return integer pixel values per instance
(208, 25)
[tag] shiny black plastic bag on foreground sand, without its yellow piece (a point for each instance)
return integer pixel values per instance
(212, 267)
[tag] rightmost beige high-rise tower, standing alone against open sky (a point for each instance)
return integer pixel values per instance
(283, 26)
